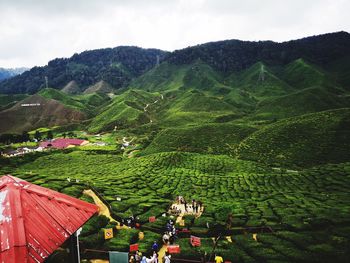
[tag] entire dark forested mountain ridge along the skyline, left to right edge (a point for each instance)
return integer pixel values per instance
(118, 66)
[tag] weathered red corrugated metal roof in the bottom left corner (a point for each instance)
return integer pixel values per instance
(35, 221)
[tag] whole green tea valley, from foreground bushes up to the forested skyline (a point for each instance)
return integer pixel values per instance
(258, 132)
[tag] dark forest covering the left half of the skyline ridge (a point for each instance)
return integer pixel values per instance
(117, 66)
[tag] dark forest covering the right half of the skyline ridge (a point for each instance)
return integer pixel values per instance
(236, 55)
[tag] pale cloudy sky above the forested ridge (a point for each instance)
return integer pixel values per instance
(32, 32)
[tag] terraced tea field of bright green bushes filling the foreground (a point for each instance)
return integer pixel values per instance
(308, 210)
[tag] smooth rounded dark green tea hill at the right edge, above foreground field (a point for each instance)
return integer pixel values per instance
(308, 140)
